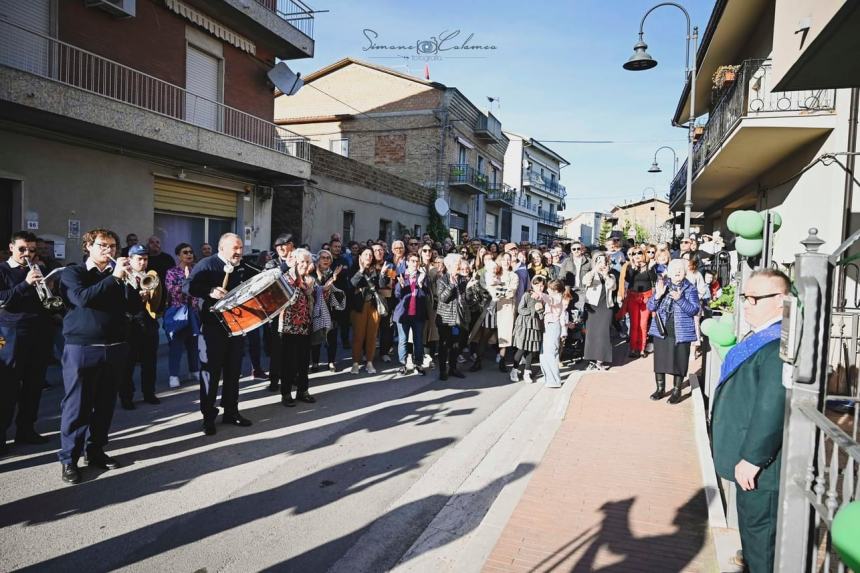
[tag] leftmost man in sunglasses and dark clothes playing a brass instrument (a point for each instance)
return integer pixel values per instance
(23, 324)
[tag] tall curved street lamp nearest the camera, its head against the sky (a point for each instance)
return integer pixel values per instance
(641, 60)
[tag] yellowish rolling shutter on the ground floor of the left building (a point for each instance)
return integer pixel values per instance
(194, 199)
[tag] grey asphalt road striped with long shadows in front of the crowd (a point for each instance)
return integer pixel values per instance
(347, 483)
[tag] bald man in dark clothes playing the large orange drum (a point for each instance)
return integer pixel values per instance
(221, 354)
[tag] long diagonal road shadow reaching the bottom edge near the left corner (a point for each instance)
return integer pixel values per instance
(298, 496)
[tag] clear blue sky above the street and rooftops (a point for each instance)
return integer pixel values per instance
(557, 69)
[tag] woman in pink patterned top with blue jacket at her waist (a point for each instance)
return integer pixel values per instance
(182, 333)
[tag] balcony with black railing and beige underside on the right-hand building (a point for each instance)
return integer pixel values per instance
(750, 130)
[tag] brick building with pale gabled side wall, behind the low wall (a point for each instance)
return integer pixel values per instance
(421, 131)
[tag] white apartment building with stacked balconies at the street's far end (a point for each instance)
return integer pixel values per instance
(533, 170)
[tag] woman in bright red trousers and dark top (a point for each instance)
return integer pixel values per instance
(635, 287)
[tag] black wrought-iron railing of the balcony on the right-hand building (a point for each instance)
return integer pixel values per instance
(750, 96)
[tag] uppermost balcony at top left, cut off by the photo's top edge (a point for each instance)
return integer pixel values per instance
(286, 27)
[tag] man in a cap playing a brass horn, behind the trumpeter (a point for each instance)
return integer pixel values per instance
(143, 329)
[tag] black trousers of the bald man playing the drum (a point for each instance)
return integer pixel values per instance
(221, 358)
